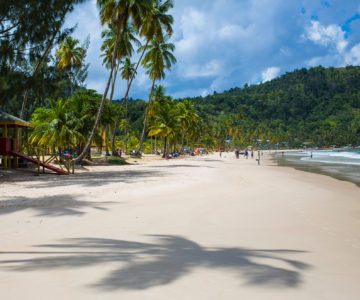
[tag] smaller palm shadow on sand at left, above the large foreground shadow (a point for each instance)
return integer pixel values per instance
(52, 206)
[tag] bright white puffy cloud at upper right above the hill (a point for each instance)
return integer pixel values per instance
(331, 35)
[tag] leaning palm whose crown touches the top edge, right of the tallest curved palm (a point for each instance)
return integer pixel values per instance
(154, 26)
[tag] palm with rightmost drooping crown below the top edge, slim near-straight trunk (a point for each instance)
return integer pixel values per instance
(158, 59)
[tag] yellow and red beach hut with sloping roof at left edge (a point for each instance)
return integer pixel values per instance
(10, 126)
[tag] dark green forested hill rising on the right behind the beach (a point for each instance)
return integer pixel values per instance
(319, 105)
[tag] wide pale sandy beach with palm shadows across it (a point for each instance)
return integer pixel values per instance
(195, 228)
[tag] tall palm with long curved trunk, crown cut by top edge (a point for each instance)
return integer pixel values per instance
(118, 12)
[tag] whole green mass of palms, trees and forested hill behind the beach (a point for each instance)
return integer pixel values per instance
(43, 71)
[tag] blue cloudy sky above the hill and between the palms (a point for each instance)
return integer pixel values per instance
(222, 44)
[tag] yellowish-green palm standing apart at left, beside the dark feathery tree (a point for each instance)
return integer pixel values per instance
(70, 56)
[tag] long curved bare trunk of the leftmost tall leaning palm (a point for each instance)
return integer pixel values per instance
(98, 117)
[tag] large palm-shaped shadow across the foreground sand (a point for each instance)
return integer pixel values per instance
(144, 265)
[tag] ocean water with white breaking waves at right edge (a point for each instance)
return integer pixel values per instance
(340, 164)
